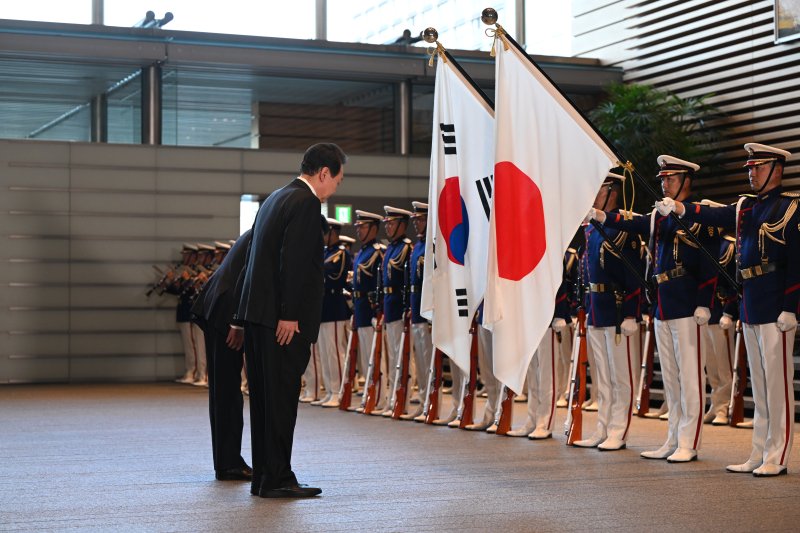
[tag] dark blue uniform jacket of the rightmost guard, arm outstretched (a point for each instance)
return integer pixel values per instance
(767, 233)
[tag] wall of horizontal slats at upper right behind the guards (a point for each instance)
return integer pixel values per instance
(696, 47)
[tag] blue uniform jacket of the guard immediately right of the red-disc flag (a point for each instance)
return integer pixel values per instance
(602, 267)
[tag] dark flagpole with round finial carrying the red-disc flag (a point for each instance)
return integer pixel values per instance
(489, 17)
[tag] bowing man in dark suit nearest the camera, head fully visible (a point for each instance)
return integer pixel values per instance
(281, 308)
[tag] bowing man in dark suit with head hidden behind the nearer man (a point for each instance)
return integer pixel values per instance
(213, 310)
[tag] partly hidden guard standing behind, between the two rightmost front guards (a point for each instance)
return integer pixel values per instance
(719, 339)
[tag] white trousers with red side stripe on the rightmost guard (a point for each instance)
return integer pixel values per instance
(769, 354)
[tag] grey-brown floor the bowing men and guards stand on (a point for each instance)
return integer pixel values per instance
(138, 458)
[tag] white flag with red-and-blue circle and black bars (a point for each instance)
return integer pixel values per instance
(459, 200)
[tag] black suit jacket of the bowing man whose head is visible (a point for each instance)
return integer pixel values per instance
(283, 275)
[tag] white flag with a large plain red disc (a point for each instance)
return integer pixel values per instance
(549, 165)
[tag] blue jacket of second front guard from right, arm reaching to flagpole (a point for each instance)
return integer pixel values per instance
(671, 248)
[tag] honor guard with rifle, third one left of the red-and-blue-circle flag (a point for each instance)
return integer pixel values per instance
(366, 268)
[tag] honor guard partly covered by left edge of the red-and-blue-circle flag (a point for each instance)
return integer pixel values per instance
(420, 328)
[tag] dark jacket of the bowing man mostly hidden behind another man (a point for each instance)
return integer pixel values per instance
(218, 301)
